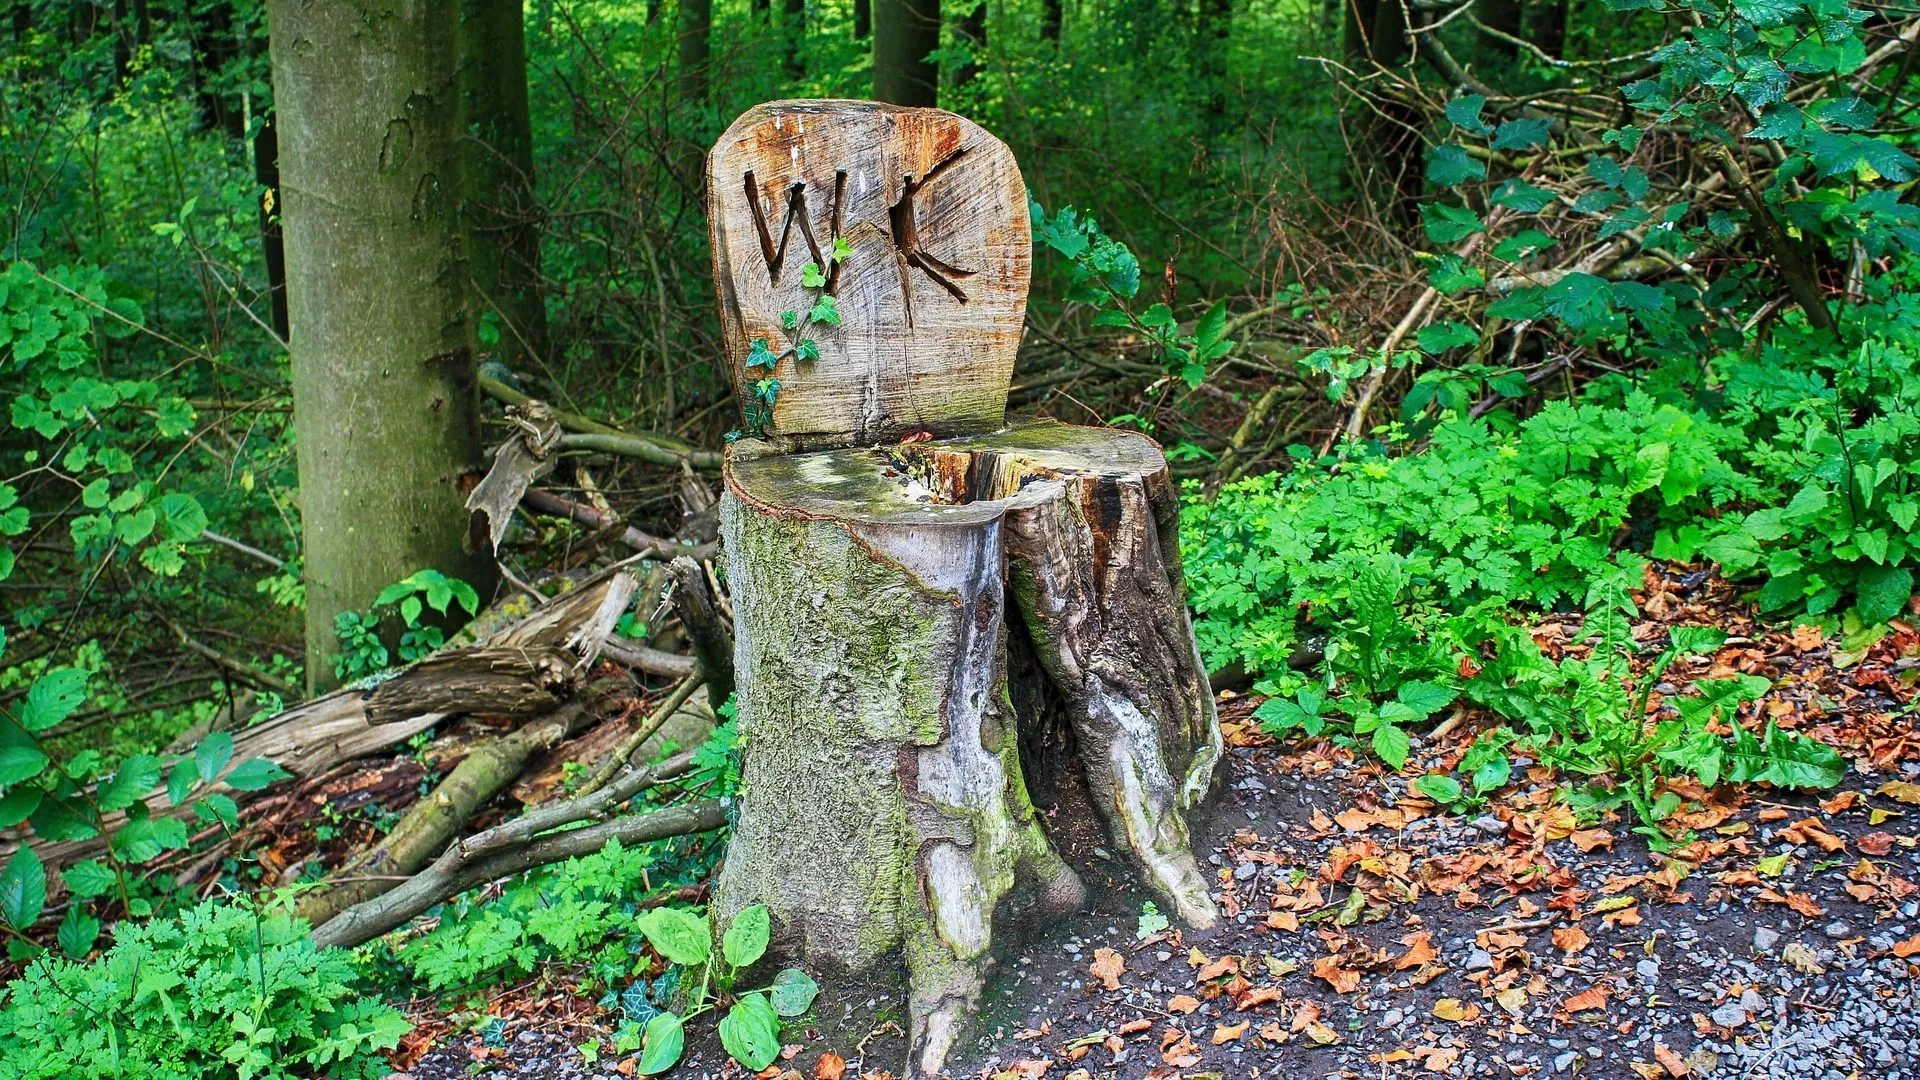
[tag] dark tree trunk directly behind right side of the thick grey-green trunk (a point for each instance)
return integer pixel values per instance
(498, 178)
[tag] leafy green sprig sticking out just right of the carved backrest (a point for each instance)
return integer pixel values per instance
(1107, 278)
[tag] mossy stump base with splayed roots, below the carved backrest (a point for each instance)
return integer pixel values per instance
(896, 610)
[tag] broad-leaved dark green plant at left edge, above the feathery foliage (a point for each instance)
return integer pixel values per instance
(80, 798)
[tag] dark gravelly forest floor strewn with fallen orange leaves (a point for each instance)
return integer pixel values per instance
(1370, 935)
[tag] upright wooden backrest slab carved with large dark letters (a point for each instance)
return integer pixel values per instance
(873, 260)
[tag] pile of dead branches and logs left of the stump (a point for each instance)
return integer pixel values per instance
(542, 662)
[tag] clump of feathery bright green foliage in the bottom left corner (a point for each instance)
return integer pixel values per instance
(226, 991)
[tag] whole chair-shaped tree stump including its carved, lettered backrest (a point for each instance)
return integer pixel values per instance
(926, 627)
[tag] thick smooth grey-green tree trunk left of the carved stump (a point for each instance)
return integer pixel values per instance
(383, 372)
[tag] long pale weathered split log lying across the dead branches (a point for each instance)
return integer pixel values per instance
(339, 727)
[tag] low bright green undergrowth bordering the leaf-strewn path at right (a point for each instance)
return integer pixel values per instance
(1378, 587)
